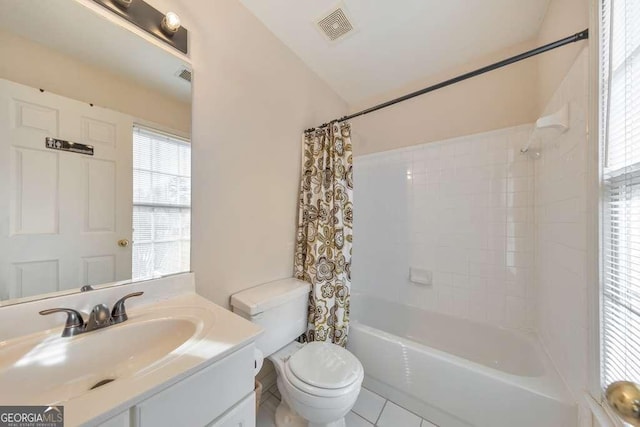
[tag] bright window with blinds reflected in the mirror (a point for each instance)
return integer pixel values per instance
(161, 204)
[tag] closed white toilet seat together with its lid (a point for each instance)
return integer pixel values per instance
(323, 370)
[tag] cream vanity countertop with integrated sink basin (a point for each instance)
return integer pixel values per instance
(195, 333)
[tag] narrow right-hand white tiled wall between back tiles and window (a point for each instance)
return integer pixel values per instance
(562, 230)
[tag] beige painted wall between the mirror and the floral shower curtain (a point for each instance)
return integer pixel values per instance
(252, 99)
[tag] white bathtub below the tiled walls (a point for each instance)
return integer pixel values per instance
(455, 372)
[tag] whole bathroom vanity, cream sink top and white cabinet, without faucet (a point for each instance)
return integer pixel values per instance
(178, 359)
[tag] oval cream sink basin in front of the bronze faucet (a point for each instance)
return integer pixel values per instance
(45, 368)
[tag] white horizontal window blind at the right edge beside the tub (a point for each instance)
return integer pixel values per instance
(620, 138)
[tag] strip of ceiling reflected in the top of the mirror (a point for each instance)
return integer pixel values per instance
(77, 31)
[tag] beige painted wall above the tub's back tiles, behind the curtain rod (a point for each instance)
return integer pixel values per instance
(496, 100)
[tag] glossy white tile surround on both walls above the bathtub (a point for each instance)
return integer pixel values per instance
(504, 235)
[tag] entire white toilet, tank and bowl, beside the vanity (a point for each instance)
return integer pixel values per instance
(319, 382)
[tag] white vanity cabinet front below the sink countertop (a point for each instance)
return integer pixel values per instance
(220, 395)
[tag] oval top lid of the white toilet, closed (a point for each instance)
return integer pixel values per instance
(325, 365)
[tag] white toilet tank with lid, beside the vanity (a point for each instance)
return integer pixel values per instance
(281, 309)
